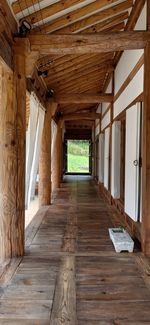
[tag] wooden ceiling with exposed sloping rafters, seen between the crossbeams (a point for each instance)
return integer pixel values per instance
(79, 74)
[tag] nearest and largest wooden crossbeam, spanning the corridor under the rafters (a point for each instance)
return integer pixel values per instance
(86, 43)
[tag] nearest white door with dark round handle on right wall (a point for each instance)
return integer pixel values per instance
(133, 116)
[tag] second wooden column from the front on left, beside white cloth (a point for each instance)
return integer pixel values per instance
(45, 161)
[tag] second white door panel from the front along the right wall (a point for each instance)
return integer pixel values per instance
(115, 165)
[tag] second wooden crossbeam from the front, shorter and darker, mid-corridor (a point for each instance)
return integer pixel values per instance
(83, 98)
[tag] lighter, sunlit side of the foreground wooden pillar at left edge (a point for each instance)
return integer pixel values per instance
(8, 165)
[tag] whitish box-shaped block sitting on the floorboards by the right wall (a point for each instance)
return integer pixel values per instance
(121, 240)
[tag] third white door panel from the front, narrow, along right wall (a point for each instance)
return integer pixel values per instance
(106, 158)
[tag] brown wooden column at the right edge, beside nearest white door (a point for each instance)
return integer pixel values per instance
(146, 157)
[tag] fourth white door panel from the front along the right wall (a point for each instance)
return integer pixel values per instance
(101, 158)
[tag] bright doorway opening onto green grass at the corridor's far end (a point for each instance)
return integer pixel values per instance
(78, 158)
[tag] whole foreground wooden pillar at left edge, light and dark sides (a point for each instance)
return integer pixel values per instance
(12, 162)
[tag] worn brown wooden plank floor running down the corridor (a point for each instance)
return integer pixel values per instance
(70, 273)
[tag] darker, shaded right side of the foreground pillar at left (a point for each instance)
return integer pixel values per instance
(20, 105)
